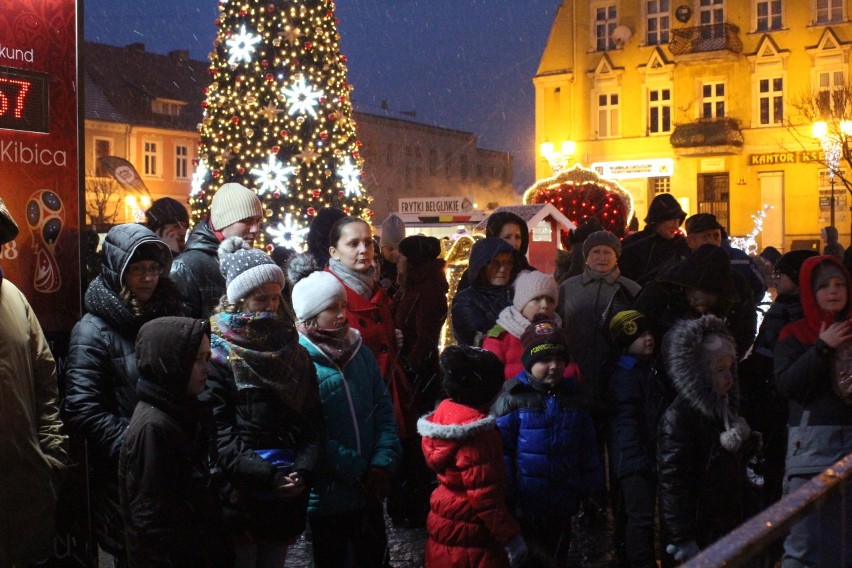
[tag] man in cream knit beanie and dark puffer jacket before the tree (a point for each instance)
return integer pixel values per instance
(235, 211)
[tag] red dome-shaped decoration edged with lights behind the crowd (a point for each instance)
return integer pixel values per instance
(580, 193)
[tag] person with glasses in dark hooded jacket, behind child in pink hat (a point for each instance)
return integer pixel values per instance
(490, 273)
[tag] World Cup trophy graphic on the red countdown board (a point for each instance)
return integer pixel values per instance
(45, 217)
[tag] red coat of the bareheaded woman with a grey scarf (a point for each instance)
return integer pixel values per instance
(373, 319)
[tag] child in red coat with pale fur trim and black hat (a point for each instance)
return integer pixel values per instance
(469, 524)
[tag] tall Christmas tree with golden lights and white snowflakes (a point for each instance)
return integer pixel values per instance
(278, 116)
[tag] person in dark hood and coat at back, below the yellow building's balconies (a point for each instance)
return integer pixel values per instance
(649, 252)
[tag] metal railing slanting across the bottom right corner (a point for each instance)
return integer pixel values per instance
(761, 531)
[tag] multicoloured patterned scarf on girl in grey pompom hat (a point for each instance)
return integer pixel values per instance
(262, 350)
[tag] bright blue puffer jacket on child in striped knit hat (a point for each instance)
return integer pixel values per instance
(549, 447)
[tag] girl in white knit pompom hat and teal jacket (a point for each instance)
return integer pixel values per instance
(362, 447)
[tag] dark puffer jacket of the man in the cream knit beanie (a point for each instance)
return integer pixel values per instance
(196, 273)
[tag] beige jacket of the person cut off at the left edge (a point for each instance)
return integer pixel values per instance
(32, 446)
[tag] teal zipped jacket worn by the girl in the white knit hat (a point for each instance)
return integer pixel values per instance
(360, 428)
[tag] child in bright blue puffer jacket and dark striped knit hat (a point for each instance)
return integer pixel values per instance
(549, 442)
